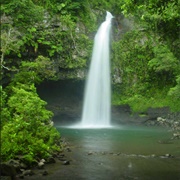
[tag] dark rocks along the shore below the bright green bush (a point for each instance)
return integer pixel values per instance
(16, 169)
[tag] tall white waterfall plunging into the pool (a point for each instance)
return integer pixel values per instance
(96, 108)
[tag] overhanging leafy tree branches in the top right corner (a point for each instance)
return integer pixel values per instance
(160, 16)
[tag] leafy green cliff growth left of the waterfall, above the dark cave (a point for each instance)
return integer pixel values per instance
(54, 29)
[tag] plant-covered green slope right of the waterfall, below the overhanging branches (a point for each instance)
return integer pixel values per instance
(147, 69)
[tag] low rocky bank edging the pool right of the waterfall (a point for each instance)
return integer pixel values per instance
(160, 117)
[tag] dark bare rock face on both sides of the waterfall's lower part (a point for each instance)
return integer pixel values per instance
(65, 99)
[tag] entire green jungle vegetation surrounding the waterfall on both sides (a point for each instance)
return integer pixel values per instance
(53, 39)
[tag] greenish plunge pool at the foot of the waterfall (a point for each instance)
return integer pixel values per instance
(124, 153)
